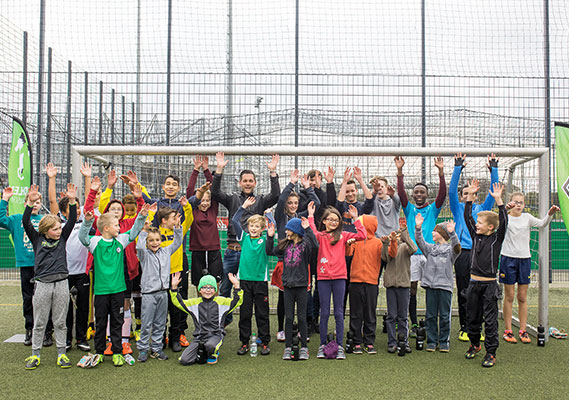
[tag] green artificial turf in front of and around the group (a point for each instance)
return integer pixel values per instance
(522, 371)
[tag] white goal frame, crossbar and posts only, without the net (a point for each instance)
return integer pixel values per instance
(522, 155)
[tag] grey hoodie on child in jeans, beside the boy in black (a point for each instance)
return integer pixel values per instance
(437, 273)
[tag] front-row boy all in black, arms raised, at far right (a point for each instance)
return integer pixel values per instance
(483, 291)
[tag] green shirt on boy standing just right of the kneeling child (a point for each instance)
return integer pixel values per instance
(253, 264)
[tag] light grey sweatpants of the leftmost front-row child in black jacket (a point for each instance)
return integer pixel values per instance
(52, 296)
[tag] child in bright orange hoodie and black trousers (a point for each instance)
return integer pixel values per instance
(363, 289)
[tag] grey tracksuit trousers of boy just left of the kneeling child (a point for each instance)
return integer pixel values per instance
(153, 315)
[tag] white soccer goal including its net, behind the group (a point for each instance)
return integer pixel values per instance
(524, 169)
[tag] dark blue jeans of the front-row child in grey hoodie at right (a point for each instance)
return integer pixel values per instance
(438, 307)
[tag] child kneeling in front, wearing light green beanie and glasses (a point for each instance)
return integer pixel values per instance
(208, 312)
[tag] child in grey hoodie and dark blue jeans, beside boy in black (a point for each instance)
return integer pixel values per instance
(438, 280)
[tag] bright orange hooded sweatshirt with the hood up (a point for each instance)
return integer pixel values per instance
(367, 254)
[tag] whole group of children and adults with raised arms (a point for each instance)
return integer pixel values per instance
(344, 244)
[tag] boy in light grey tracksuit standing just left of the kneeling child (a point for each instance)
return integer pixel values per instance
(154, 283)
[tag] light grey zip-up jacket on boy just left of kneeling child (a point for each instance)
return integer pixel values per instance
(156, 266)
